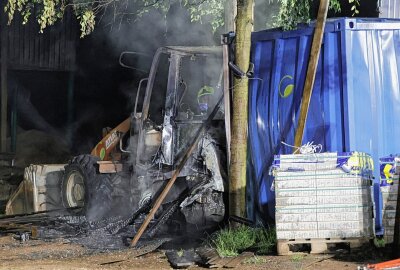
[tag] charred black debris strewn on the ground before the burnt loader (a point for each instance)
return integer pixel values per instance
(100, 235)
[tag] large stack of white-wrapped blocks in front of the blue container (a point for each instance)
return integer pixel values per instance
(326, 195)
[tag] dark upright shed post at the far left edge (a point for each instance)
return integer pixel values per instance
(3, 84)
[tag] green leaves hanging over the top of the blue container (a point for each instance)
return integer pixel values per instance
(293, 12)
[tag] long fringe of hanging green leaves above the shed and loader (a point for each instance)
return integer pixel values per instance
(86, 11)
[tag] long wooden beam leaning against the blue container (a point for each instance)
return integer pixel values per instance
(311, 71)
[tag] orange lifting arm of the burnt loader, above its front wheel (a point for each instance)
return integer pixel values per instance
(104, 148)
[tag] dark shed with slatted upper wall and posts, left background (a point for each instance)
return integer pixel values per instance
(24, 48)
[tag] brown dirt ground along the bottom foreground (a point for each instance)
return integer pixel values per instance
(37, 254)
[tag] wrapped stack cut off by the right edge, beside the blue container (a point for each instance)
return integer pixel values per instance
(389, 180)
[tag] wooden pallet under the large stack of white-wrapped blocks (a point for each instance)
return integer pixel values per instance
(317, 246)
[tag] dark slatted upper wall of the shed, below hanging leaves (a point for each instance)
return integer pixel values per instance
(53, 50)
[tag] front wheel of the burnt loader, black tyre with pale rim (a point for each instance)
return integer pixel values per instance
(85, 190)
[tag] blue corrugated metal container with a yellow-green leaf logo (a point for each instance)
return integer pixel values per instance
(355, 103)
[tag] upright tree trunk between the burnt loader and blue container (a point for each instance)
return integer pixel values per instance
(237, 171)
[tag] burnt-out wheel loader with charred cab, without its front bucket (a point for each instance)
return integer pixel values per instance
(128, 168)
